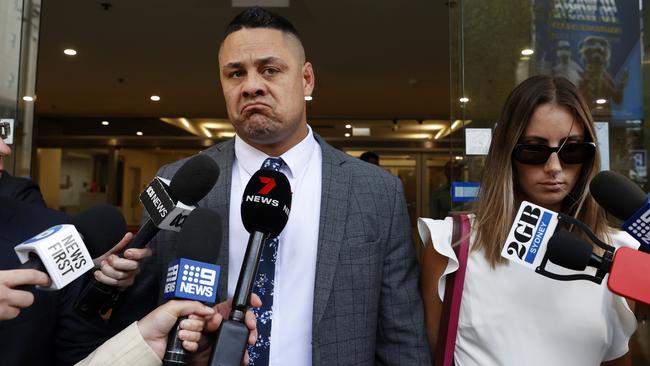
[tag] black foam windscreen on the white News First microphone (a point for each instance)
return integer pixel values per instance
(101, 226)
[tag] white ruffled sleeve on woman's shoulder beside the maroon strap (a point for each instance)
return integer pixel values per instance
(439, 233)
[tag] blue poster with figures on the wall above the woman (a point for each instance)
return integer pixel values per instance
(597, 45)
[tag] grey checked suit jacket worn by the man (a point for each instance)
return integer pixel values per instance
(367, 306)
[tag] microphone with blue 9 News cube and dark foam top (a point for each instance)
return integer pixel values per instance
(193, 276)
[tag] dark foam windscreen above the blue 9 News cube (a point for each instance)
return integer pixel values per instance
(200, 237)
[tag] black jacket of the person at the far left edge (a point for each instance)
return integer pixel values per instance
(48, 332)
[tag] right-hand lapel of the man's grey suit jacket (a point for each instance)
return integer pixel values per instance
(335, 188)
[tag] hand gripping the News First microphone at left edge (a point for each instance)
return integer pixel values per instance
(11, 299)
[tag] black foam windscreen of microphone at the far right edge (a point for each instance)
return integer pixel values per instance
(616, 194)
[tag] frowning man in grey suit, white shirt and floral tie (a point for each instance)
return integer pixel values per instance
(344, 277)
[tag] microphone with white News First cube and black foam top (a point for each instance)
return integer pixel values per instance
(65, 251)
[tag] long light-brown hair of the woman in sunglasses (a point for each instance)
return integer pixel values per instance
(496, 206)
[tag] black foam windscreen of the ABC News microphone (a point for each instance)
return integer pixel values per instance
(194, 179)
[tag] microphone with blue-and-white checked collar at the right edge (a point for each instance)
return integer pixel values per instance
(626, 201)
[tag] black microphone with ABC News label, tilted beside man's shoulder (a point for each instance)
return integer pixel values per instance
(168, 207)
